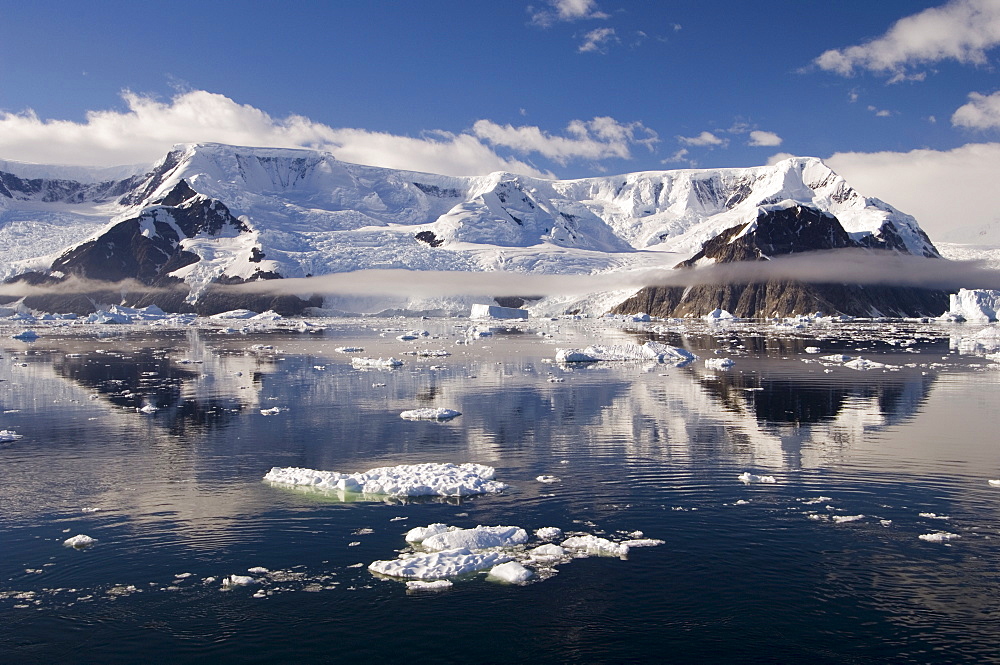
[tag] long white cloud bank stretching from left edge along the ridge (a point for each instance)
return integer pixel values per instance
(148, 127)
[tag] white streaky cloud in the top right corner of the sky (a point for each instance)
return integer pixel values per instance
(961, 30)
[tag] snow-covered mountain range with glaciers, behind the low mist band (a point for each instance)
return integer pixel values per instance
(209, 214)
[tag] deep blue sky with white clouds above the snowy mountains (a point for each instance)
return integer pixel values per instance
(902, 98)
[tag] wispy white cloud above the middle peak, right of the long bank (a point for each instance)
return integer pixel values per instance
(600, 138)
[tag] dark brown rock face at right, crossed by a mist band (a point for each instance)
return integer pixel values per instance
(787, 231)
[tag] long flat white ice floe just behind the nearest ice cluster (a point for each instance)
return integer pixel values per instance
(431, 479)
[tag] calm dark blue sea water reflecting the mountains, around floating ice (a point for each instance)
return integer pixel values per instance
(748, 573)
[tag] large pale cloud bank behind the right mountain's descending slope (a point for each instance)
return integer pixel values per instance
(951, 193)
